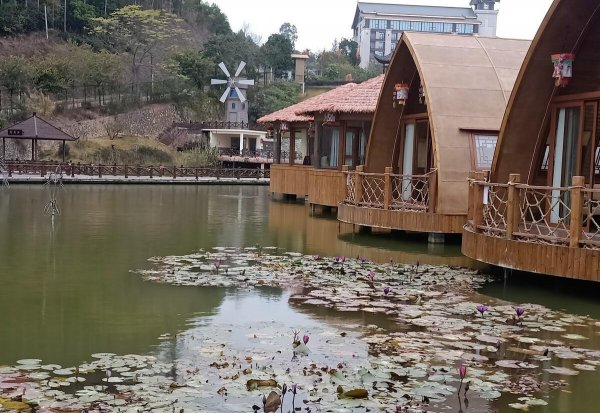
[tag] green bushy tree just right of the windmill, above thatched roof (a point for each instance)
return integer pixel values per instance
(268, 99)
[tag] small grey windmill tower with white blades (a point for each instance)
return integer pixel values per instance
(234, 97)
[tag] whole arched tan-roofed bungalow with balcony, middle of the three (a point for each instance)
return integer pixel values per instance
(437, 119)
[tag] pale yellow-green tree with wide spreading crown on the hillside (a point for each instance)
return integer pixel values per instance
(139, 32)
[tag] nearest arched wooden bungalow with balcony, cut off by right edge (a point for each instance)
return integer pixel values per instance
(539, 211)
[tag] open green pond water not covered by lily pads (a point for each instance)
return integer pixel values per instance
(67, 291)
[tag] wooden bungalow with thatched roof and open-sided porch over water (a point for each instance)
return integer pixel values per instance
(333, 128)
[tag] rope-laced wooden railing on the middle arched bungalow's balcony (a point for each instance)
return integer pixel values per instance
(388, 191)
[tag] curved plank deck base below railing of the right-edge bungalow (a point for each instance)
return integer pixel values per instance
(561, 261)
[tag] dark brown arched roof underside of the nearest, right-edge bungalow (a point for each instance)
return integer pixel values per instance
(570, 26)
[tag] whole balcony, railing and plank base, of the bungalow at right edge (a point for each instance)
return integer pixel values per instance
(547, 230)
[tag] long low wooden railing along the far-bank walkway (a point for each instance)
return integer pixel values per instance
(126, 171)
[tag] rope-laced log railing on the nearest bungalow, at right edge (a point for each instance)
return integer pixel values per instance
(567, 216)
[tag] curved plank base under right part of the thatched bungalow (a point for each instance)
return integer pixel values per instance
(326, 187)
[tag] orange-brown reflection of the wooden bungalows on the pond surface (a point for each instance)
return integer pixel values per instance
(328, 237)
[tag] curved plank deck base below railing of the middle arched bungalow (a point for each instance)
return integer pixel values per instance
(401, 220)
